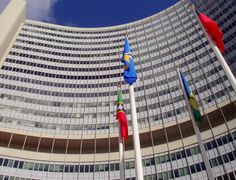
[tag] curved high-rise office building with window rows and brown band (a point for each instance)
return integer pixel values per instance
(58, 92)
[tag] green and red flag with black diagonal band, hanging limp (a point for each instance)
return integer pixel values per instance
(121, 117)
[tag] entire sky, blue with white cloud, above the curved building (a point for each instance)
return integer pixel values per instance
(92, 13)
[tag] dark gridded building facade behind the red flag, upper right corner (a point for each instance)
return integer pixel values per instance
(224, 12)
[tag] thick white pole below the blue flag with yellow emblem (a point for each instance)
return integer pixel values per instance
(138, 159)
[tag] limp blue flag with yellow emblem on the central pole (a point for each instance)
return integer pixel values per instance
(130, 75)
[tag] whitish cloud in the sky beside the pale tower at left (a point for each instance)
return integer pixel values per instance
(41, 10)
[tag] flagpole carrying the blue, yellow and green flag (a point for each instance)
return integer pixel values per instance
(197, 132)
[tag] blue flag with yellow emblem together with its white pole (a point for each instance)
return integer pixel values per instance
(130, 77)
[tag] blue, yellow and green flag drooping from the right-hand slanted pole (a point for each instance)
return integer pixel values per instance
(192, 100)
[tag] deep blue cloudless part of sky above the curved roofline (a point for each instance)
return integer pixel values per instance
(94, 13)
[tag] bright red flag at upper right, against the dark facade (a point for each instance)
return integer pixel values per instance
(213, 30)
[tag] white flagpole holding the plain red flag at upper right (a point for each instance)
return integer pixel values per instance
(218, 54)
